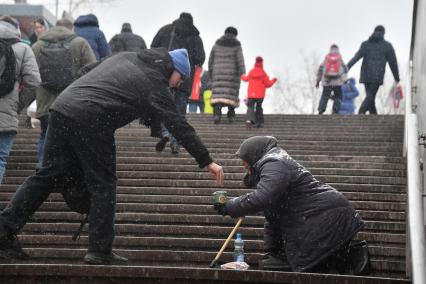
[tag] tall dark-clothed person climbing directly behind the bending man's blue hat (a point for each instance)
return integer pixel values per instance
(180, 34)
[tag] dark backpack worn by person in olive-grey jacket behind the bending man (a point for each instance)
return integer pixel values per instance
(55, 65)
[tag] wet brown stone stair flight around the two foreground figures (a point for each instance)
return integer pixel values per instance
(165, 223)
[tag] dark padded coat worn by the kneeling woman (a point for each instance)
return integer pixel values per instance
(314, 218)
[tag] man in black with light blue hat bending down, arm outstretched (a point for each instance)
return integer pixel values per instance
(80, 142)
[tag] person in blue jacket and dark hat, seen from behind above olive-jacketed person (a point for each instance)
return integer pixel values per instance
(87, 26)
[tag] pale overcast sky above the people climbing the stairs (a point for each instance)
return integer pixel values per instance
(278, 30)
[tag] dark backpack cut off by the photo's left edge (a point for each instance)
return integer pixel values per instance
(7, 66)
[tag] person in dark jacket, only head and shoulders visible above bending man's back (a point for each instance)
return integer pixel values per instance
(126, 40)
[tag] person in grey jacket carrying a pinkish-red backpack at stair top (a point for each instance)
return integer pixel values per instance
(332, 74)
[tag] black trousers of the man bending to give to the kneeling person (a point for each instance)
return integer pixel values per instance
(72, 147)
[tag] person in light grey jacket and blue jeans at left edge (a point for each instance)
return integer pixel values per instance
(17, 65)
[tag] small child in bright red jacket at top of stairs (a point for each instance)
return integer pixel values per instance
(258, 82)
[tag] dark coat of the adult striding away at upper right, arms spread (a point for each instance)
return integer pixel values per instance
(376, 51)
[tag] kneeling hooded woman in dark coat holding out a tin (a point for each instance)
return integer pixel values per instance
(308, 224)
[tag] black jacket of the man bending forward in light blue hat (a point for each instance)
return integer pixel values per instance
(125, 87)
